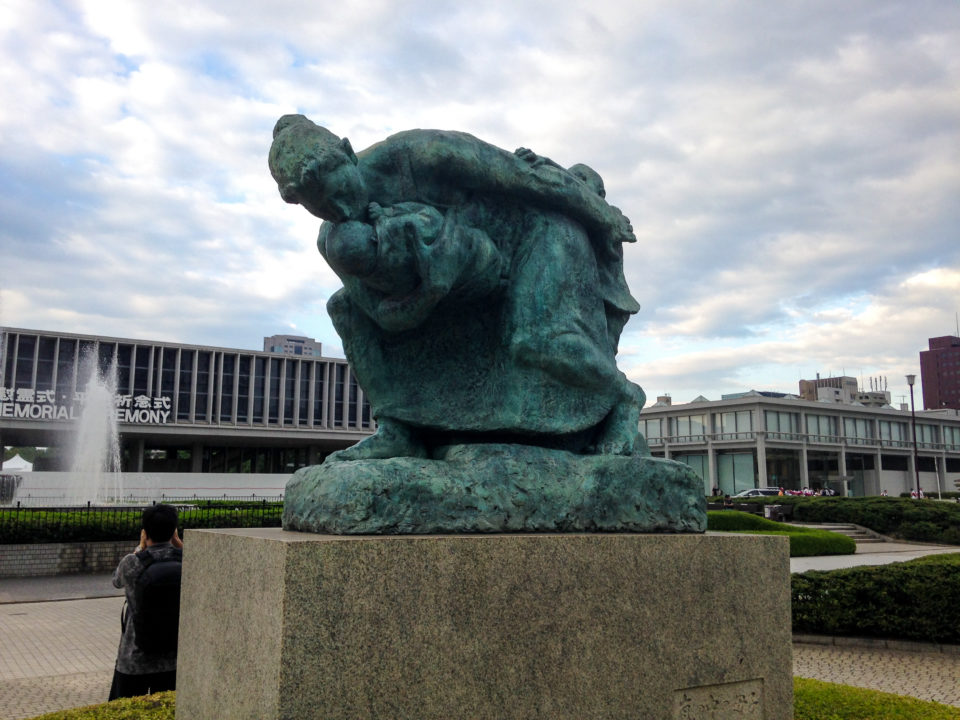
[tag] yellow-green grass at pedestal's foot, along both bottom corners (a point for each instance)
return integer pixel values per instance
(812, 700)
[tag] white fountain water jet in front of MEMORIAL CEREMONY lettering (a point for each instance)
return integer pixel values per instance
(95, 468)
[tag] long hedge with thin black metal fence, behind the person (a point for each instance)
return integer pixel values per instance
(22, 524)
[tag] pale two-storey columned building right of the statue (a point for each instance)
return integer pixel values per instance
(759, 441)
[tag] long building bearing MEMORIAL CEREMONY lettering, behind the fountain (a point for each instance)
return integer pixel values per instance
(186, 409)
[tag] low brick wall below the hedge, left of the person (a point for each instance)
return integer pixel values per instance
(62, 558)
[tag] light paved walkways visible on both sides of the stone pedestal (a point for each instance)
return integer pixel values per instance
(59, 636)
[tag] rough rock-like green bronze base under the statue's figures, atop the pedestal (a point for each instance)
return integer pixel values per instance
(496, 488)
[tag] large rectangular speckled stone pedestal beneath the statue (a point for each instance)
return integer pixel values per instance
(290, 625)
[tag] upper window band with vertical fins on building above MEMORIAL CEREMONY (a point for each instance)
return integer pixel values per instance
(215, 386)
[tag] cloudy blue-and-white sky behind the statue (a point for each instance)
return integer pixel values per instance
(792, 169)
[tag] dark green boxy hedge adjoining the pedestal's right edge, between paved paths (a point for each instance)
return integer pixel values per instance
(915, 600)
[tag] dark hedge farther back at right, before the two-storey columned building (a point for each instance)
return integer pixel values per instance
(904, 518)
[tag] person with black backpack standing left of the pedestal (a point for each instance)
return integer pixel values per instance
(150, 575)
